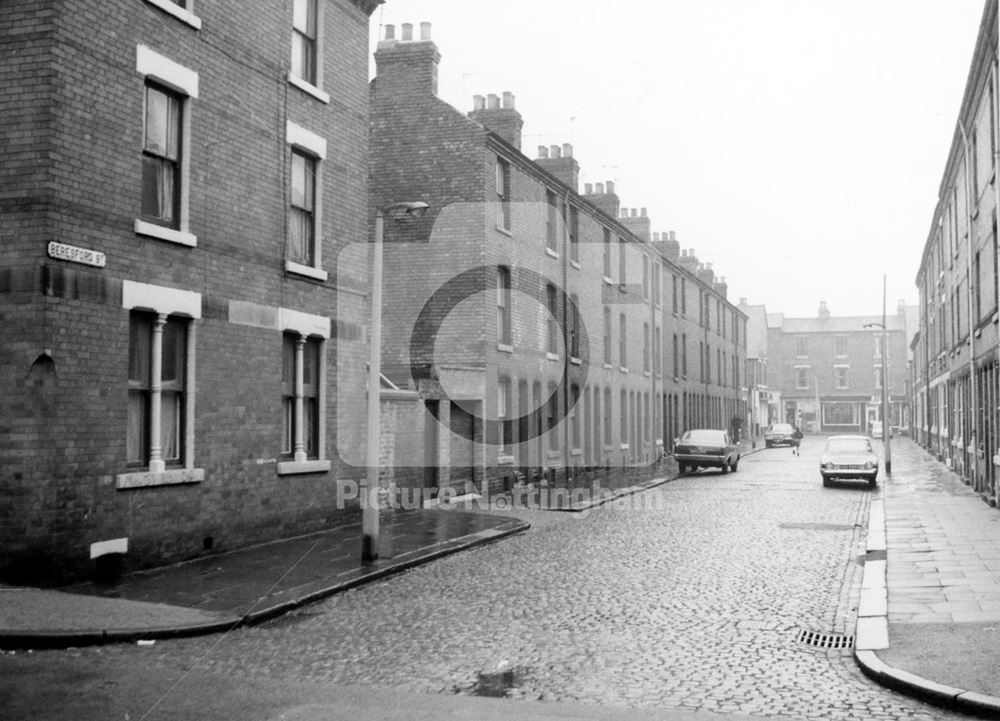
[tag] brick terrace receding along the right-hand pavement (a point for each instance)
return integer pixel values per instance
(956, 368)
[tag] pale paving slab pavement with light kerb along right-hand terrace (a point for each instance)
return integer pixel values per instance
(929, 620)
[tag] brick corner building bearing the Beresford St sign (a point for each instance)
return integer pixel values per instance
(176, 181)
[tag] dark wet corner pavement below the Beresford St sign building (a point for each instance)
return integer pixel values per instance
(246, 586)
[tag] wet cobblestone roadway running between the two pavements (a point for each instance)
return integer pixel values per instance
(693, 601)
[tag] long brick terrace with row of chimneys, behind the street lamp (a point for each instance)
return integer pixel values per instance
(539, 332)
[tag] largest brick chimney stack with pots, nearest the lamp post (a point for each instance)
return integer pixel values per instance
(406, 67)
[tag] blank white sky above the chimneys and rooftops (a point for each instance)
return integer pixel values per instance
(797, 145)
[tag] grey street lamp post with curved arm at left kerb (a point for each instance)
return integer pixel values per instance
(369, 496)
